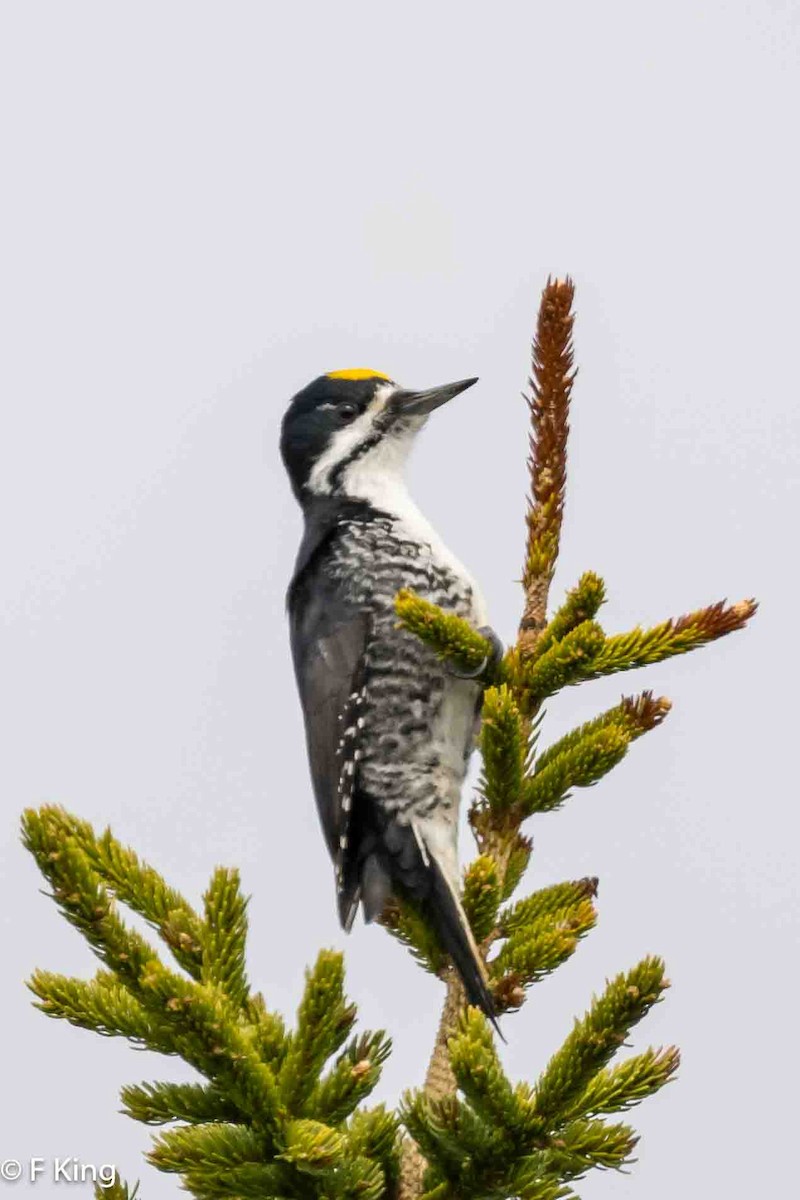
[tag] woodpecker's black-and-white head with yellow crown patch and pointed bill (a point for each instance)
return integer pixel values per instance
(350, 428)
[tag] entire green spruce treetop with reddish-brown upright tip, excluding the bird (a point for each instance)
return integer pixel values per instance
(279, 1112)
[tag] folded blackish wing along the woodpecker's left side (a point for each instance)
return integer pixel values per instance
(328, 645)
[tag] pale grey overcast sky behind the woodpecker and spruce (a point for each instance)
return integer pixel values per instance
(204, 207)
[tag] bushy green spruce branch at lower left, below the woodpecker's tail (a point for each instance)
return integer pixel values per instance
(246, 1130)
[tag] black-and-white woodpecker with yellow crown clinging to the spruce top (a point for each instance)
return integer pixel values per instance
(389, 729)
